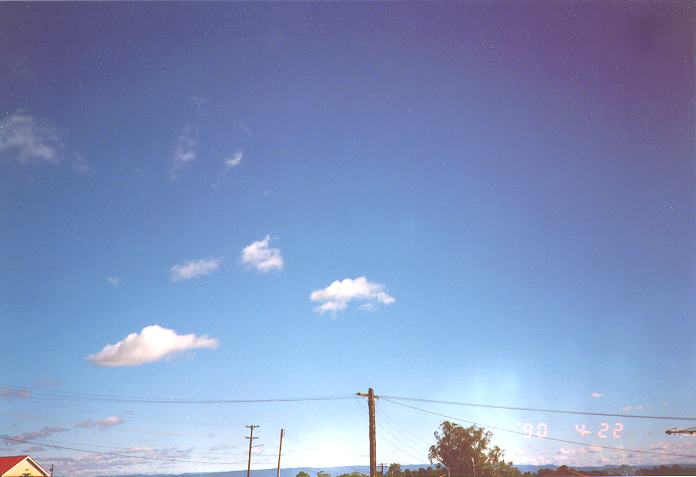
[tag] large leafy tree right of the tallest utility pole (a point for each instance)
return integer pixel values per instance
(465, 452)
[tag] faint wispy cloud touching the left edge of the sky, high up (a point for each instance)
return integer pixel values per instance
(26, 140)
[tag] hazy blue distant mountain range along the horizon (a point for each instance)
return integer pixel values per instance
(365, 469)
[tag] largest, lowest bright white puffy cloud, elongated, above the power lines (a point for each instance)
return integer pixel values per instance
(152, 344)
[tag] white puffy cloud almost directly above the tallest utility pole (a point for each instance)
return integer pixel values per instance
(340, 293)
